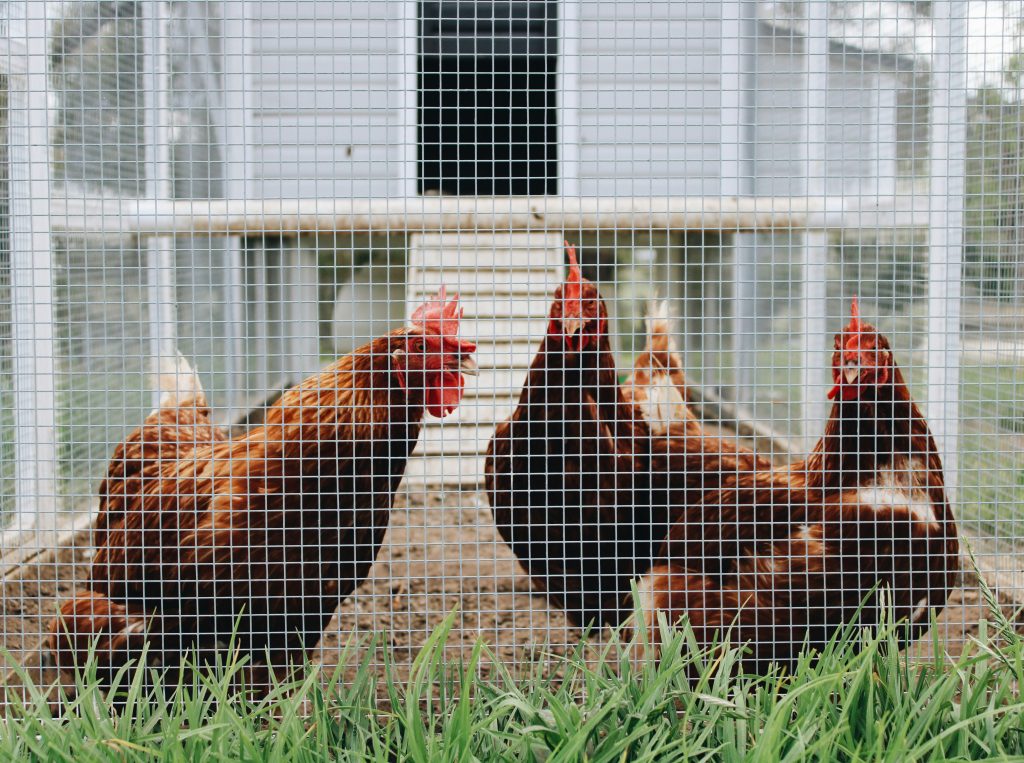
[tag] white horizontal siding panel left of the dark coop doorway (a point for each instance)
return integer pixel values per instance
(327, 103)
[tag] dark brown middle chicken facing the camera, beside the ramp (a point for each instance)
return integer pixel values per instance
(571, 505)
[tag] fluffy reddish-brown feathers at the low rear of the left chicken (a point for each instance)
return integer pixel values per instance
(93, 626)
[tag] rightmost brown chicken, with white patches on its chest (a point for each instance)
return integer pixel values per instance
(787, 557)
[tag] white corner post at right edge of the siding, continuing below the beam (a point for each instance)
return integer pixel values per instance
(739, 39)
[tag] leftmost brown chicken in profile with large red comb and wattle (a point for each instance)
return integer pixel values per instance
(271, 531)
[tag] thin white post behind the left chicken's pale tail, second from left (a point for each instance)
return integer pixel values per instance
(160, 184)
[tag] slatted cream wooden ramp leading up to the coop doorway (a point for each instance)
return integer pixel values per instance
(505, 282)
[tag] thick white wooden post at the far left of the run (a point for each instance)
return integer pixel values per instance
(32, 118)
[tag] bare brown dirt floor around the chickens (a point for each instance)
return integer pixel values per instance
(442, 555)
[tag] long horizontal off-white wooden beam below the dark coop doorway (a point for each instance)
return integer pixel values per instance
(149, 219)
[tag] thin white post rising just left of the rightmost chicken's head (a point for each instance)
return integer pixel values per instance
(816, 355)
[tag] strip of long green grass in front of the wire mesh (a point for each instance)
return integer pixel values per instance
(862, 701)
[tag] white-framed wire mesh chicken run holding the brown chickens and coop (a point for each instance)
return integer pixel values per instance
(205, 204)
